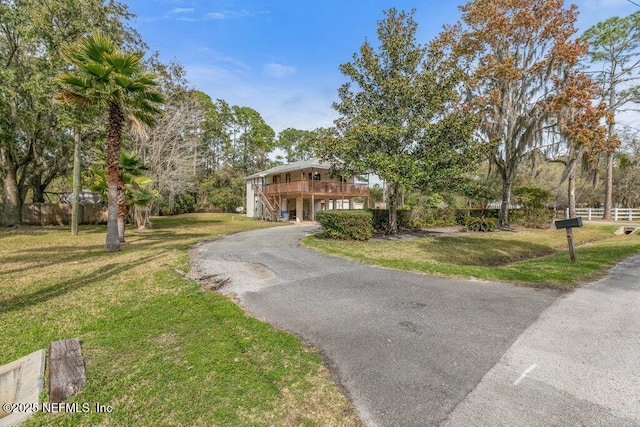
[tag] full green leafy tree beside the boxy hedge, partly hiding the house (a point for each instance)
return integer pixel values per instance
(398, 117)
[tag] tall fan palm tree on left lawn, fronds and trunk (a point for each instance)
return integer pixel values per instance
(114, 81)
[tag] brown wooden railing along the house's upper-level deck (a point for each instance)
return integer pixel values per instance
(318, 188)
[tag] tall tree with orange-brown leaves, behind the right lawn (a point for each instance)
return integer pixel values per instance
(513, 51)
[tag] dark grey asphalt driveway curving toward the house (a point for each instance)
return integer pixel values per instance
(408, 348)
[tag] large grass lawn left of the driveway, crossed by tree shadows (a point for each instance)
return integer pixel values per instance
(157, 349)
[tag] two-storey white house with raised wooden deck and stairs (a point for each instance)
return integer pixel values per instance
(298, 190)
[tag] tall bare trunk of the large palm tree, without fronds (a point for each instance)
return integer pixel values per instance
(114, 139)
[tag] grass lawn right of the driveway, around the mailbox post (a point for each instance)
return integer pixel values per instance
(533, 257)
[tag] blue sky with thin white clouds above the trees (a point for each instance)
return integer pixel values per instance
(281, 57)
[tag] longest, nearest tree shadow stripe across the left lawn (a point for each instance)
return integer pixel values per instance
(57, 289)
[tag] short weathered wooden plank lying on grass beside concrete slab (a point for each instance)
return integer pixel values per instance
(66, 370)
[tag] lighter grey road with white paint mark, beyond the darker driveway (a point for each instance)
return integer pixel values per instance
(579, 364)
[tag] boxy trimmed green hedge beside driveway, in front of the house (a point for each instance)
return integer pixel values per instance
(346, 224)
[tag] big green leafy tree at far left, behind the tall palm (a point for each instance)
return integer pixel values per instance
(35, 141)
